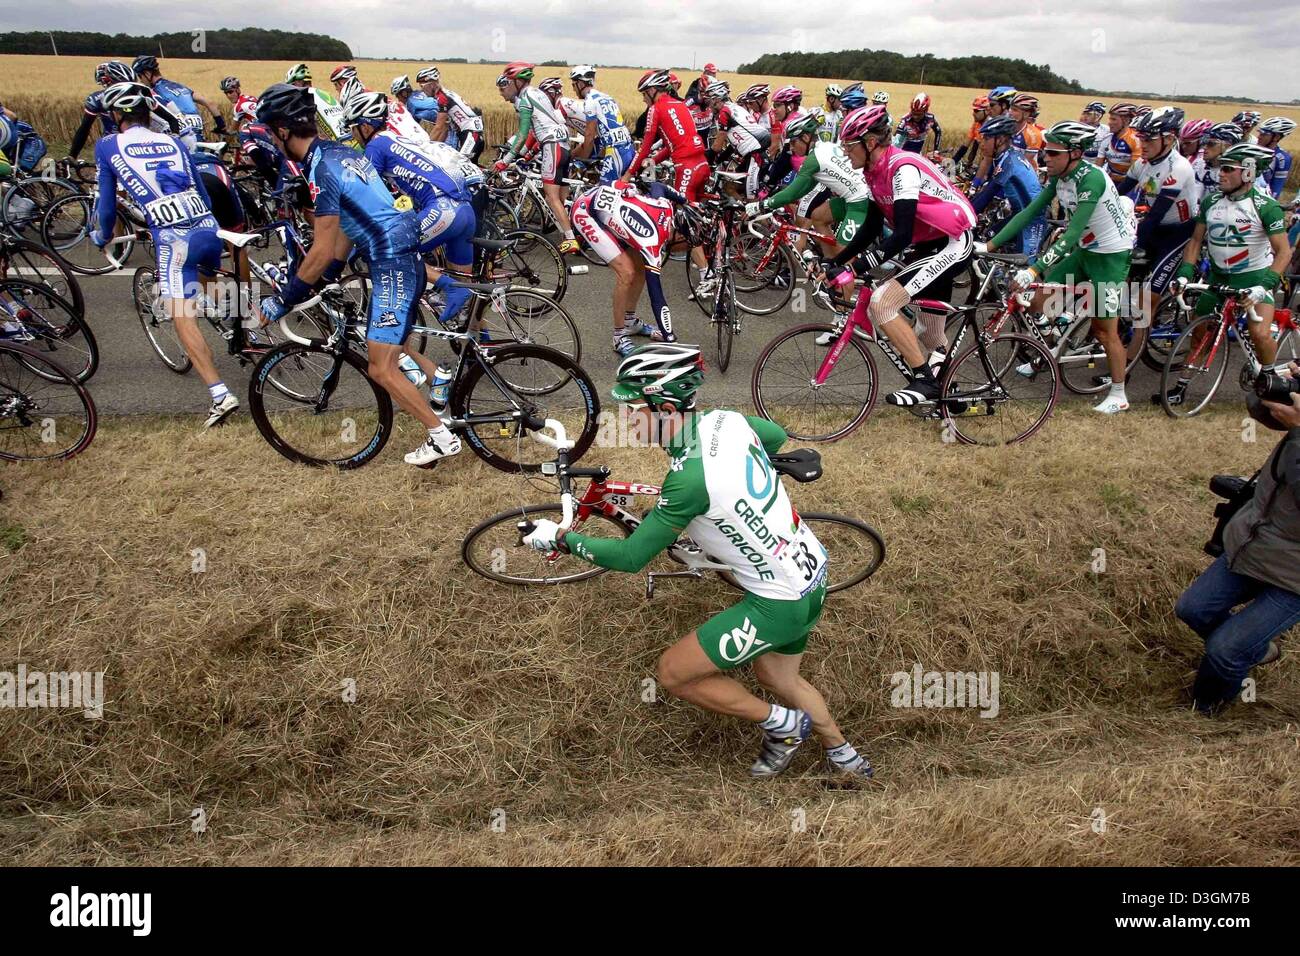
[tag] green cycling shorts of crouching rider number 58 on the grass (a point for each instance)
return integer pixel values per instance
(756, 625)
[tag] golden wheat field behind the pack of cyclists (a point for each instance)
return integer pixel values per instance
(49, 90)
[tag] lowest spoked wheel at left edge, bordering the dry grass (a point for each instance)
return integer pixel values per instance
(45, 412)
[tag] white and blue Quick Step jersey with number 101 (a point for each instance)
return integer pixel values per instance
(157, 172)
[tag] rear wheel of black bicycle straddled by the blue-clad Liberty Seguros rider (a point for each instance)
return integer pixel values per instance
(527, 401)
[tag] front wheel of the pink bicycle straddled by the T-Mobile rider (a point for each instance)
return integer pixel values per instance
(785, 383)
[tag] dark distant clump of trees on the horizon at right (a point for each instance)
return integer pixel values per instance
(882, 66)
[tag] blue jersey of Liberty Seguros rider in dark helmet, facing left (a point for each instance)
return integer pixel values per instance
(348, 185)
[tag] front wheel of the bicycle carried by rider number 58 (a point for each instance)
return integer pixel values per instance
(493, 550)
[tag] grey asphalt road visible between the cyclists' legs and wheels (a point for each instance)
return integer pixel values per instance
(133, 380)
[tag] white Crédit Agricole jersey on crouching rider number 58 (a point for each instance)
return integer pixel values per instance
(723, 492)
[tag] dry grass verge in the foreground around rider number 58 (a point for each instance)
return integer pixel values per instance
(473, 699)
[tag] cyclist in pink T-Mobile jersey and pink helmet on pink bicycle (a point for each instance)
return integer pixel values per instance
(930, 226)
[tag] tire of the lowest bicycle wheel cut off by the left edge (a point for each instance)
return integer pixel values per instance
(21, 409)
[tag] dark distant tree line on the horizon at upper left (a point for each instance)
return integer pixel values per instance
(227, 45)
